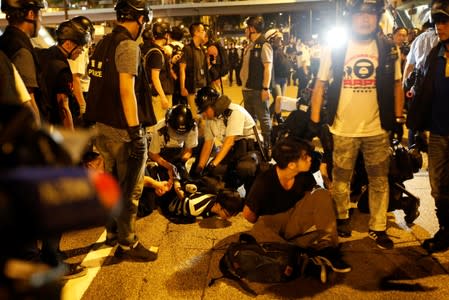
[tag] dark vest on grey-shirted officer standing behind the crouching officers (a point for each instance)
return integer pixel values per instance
(256, 68)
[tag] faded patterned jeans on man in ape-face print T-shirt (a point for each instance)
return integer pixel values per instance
(376, 154)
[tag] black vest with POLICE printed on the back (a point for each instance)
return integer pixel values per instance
(103, 102)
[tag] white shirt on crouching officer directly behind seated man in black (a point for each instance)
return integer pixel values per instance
(239, 124)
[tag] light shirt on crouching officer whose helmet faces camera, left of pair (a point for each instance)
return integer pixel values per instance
(188, 140)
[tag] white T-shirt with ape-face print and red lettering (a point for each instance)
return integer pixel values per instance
(358, 110)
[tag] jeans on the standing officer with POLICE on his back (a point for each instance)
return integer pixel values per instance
(114, 146)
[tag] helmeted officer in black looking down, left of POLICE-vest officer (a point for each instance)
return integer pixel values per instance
(56, 71)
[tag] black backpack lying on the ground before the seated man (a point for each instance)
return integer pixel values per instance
(261, 262)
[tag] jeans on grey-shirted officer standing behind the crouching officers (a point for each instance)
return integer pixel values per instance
(259, 110)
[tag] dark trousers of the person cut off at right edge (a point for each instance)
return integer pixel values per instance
(439, 176)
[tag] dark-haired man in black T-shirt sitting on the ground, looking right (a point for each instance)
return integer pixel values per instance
(285, 206)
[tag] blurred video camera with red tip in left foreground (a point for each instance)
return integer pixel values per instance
(43, 193)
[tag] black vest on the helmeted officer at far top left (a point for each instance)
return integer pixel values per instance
(14, 39)
